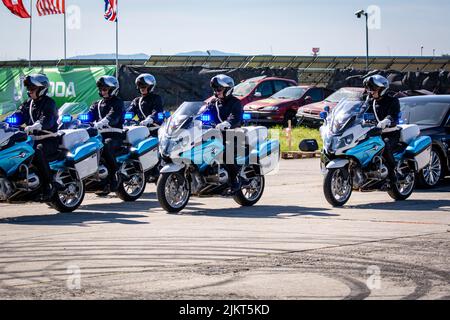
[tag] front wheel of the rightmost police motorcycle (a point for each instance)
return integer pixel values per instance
(337, 186)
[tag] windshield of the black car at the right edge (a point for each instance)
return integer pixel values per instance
(424, 113)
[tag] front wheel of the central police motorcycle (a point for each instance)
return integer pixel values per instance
(173, 191)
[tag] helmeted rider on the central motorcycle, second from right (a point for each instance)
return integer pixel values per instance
(226, 112)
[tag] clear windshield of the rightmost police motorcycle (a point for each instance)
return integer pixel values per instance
(345, 115)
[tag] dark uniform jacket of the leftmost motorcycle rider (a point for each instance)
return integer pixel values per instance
(43, 110)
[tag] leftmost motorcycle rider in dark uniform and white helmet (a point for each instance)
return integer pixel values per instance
(40, 115)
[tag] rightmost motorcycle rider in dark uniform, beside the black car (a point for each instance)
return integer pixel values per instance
(386, 109)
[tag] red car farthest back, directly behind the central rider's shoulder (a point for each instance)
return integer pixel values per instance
(259, 88)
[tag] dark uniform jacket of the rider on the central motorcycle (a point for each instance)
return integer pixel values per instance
(228, 109)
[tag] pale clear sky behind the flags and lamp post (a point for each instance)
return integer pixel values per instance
(250, 27)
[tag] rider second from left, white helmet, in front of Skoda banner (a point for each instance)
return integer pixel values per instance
(108, 116)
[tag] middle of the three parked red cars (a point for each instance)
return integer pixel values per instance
(283, 106)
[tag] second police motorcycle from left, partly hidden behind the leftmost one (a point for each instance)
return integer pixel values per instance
(137, 156)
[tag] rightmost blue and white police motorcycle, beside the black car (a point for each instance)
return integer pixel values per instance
(352, 154)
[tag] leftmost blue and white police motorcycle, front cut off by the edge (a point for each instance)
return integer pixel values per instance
(75, 162)
